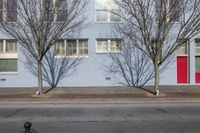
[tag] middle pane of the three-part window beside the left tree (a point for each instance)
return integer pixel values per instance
(71, 47)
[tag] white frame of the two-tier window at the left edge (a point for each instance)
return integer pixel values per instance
(8, 55)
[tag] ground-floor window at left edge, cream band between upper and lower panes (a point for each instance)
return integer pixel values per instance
(8, 56)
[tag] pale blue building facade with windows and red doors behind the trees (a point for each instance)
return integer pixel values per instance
(94, 42)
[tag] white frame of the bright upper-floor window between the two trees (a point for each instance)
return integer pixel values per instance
(107, 9)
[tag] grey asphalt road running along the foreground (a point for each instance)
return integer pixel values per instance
(102, 118)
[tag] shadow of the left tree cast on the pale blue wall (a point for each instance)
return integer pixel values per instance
(54, 68)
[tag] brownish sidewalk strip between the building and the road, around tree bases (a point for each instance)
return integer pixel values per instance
(180, 93)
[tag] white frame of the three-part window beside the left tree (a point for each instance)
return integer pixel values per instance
(77, 49)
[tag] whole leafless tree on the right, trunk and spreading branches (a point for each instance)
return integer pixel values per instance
(158, 27)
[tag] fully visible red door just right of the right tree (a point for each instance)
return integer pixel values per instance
(182, 69)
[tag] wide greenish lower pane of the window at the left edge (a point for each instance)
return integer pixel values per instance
(8, 65)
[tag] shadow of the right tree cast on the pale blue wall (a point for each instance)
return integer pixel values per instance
(131, 66)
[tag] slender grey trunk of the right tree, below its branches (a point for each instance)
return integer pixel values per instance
(157, 79)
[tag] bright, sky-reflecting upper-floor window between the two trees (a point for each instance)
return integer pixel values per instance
(107, 10)
